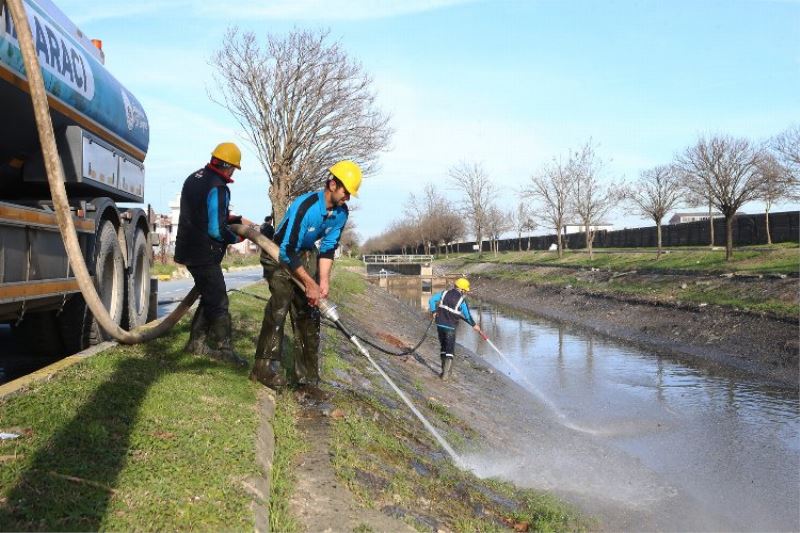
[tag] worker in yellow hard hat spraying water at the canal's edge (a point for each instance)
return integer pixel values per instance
(450, 306)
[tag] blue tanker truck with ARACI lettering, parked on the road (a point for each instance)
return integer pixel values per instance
(102, 135)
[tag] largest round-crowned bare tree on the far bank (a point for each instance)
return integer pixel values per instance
(728, 170)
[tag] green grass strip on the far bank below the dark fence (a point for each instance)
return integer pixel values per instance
(637, 275)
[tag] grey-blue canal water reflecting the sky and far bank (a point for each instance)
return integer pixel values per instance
(732, 444)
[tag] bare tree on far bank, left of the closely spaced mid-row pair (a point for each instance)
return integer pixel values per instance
(551, 186)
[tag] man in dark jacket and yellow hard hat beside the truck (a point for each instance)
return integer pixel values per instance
(203, 237)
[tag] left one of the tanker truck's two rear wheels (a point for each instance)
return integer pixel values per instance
(109, 275)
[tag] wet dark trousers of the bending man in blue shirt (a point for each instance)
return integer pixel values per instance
(287, 297)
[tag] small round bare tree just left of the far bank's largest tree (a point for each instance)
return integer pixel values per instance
(657, 191)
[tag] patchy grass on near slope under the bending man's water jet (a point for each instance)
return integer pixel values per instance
(391, 463)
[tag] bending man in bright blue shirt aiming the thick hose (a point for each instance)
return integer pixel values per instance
(314, 216)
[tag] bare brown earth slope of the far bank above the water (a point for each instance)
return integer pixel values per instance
(747, 342)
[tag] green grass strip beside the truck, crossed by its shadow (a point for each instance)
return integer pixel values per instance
(136, 438)
